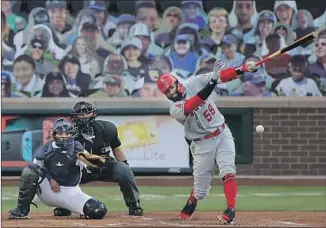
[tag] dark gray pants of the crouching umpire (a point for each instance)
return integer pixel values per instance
(118, 172)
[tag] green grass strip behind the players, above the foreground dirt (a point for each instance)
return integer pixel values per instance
(289, 198)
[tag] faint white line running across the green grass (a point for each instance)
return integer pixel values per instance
(12, 196)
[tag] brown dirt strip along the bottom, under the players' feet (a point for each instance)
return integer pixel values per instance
(170, 219)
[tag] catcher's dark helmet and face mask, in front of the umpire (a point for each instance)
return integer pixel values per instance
(63, 133)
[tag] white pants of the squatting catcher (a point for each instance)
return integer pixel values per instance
(70, 198)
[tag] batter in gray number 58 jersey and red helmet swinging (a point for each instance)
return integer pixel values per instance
(211, 140)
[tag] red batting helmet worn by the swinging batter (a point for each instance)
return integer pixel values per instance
(165, 81)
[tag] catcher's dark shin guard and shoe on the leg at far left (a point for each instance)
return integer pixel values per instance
(27, 190)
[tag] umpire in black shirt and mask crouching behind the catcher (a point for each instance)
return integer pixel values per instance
(100, 137)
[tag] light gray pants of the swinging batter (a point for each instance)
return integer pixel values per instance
(206, 153)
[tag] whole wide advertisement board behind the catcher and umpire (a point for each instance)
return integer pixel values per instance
(149, 142)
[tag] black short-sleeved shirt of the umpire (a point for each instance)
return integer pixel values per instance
(106, 136)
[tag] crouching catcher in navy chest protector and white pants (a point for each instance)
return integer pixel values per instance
(54, 176)
